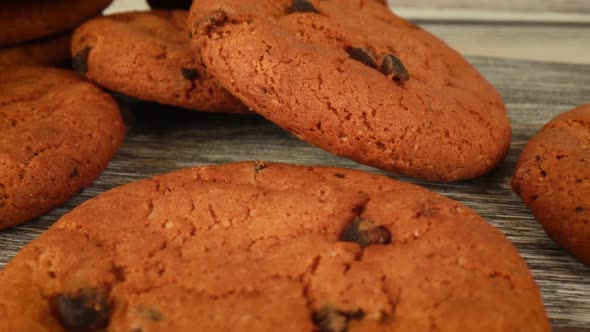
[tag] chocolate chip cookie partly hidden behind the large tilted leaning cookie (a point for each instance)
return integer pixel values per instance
(146, 55)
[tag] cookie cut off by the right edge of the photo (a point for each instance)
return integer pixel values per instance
(553, 179)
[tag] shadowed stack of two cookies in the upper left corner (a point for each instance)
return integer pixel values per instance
(37, 32)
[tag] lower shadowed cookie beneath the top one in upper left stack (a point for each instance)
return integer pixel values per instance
(51, 51)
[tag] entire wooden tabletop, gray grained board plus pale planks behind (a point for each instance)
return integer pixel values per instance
(164, 139)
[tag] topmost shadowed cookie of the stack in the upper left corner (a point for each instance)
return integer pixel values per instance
(27, 20)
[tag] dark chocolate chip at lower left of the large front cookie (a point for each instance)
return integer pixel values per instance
(83, 310)
